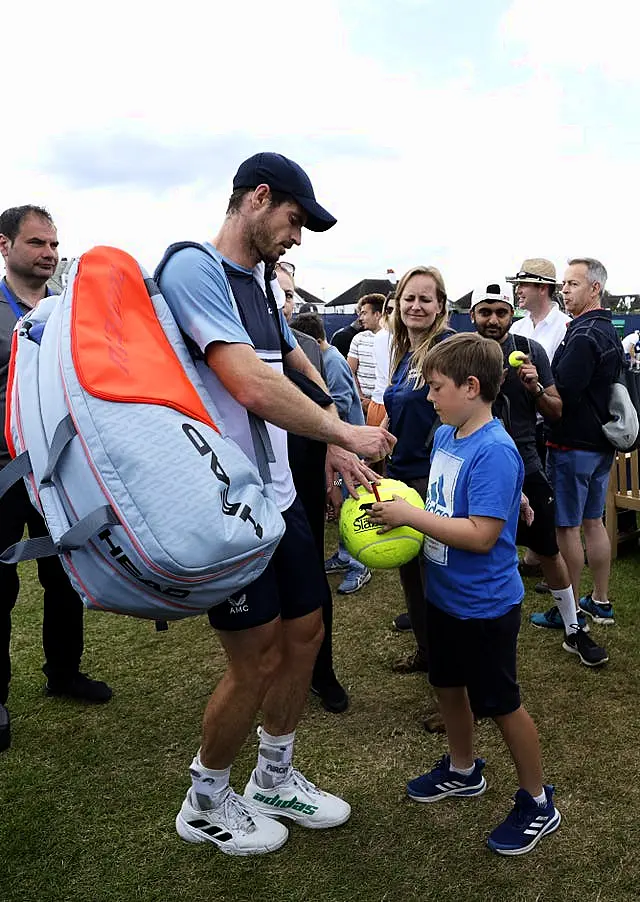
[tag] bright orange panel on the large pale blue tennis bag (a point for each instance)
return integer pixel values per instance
(119, 348)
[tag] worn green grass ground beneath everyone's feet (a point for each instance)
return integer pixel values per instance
(88, 796)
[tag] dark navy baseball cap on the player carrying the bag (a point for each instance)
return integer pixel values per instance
(282, 174)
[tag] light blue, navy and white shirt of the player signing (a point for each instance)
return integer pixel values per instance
(195, 286)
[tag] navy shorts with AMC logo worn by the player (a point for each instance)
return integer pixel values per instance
(293, 584)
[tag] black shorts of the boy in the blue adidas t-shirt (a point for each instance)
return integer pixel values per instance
(478, 654)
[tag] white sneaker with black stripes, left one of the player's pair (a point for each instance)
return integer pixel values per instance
(235, 826)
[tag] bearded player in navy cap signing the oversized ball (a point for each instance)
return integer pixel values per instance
(272, 630)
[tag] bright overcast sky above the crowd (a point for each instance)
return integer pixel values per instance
(467, 134)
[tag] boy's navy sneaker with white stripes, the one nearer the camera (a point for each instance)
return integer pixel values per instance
(525, 825)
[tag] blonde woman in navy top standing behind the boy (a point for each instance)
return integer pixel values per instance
(419, 321)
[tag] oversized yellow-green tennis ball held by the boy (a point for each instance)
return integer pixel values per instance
(360, 536)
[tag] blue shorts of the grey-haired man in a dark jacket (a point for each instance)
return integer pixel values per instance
(579, 480)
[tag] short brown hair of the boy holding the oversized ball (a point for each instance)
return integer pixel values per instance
(468, 354)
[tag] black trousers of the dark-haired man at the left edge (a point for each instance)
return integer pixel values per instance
(62, 632)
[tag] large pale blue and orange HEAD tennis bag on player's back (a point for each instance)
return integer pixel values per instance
(154, 511)
